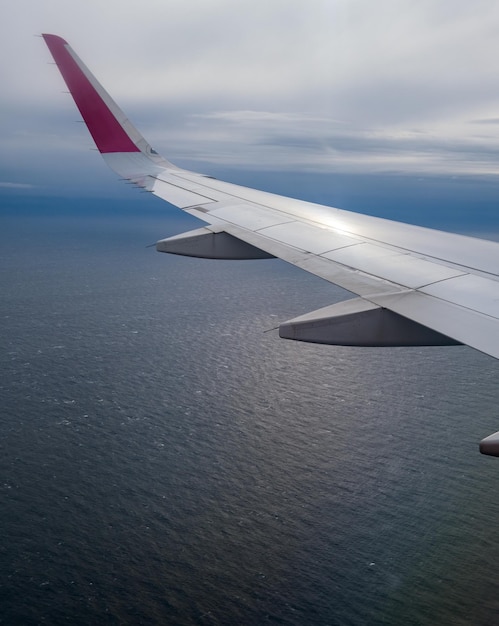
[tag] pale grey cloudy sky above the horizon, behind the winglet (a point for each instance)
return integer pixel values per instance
(337, 87)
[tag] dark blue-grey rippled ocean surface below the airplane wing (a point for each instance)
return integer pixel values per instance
(167, 459)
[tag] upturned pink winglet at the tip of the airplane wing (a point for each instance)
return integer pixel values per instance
(106, 130)
